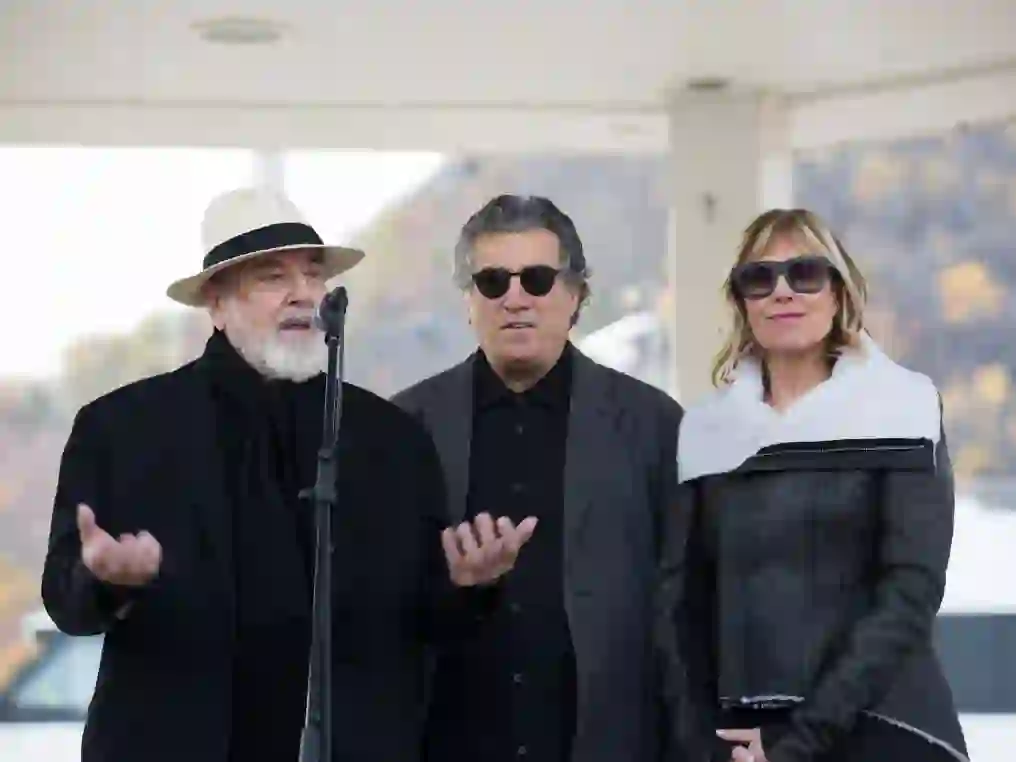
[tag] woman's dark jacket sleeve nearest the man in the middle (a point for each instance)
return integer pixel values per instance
(683, 632)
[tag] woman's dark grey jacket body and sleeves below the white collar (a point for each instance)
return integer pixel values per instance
(810, 577)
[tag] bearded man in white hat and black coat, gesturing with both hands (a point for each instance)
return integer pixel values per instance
(178, 533)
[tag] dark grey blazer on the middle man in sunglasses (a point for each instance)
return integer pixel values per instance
(620, 477)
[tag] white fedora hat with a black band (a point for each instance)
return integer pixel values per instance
(248, 223)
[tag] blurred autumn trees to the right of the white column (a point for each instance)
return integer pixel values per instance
(932, 221)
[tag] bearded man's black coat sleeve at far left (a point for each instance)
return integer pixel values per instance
(79, 603)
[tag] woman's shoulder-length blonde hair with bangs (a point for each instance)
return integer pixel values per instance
(850, 287)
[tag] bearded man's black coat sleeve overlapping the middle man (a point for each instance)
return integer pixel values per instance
(450, 613)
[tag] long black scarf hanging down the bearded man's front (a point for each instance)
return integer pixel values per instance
(268, 460)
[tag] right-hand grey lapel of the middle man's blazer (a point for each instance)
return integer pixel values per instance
(589, 448)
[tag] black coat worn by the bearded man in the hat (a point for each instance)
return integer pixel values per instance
(144, 458)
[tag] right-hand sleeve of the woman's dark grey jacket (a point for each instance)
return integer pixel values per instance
(917, 538)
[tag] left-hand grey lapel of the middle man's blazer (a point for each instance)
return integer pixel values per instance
(452, 429)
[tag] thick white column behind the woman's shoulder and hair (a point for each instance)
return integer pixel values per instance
(731, 160)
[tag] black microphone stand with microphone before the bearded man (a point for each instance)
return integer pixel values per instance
(316, 742)
